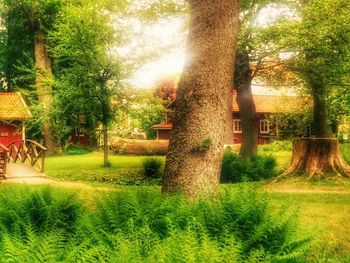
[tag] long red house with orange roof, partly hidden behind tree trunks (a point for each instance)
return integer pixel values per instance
(265, 105)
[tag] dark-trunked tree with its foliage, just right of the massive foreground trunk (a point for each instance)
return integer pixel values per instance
(254, 52)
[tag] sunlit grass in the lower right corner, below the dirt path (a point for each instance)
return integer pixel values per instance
(328, 215)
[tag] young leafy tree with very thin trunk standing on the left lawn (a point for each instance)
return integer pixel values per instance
(88, 72)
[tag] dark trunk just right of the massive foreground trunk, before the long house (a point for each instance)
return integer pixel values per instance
(246, 105)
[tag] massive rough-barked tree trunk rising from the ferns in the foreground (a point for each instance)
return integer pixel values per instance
(203, 99)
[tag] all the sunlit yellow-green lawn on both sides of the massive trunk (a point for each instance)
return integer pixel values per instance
(323, 207)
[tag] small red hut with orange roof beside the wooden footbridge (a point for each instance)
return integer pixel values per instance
(13, 112)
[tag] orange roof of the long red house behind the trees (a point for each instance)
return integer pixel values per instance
(277, 104)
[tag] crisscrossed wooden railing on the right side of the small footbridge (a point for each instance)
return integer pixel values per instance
(27, 151)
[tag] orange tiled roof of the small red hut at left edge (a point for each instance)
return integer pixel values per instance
(13, 107)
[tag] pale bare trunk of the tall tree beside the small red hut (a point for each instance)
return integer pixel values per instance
(43, 84)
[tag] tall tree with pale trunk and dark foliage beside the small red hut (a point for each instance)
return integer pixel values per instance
(31, 20)
